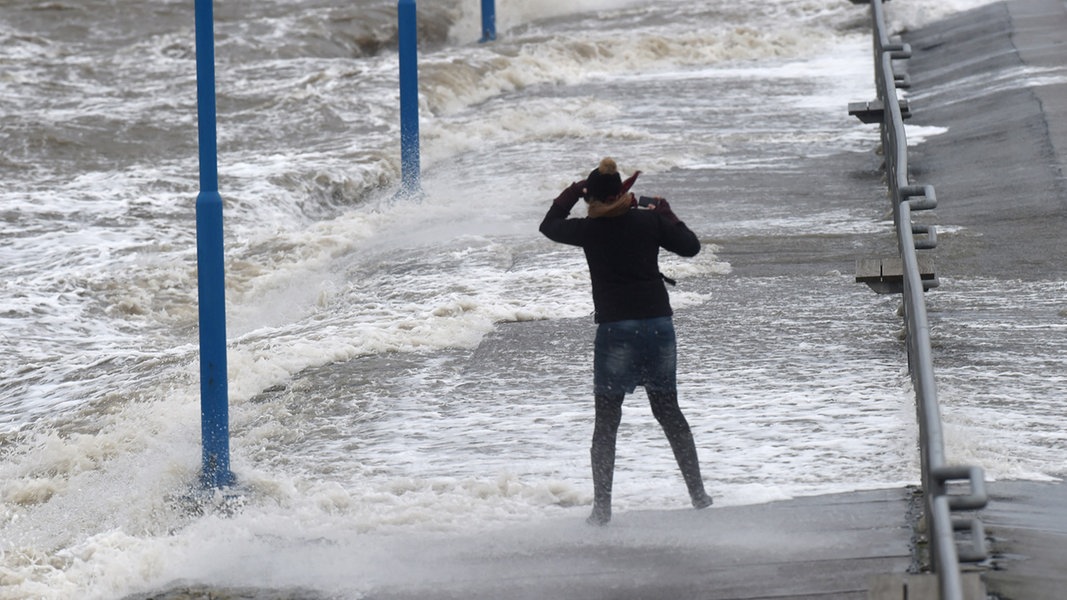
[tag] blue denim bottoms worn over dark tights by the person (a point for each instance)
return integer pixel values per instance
(635, 353)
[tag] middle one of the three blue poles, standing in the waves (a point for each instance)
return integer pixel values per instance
(409, 97)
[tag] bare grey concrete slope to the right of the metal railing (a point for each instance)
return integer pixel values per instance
(1004, 164)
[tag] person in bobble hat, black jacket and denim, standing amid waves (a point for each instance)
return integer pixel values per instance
(635, 343)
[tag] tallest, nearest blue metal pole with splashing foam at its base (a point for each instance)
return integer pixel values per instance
(215, 402)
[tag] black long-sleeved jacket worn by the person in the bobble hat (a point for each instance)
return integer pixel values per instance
(623, 254)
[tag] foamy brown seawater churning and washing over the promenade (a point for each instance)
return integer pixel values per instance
(400, 367)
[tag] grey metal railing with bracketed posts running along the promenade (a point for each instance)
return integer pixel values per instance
(890, 112)
